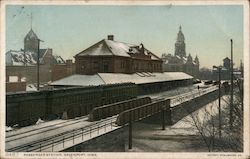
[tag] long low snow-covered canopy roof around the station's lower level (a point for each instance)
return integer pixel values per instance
(114, 78)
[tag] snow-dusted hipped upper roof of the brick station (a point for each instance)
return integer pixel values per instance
(110, 47)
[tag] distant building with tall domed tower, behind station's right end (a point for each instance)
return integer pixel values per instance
(179, 62)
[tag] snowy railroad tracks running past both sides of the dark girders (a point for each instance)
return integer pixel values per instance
(44, 143)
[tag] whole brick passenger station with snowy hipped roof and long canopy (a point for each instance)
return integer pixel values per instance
(112, 62)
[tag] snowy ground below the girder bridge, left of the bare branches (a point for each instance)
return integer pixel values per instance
(180, 137)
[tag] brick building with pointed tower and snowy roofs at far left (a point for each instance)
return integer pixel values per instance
(23, 63)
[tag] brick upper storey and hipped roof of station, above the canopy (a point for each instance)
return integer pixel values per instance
(110, 56)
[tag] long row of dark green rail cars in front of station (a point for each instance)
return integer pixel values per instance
(26, 107)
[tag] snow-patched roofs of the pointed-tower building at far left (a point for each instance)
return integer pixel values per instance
(28, 58)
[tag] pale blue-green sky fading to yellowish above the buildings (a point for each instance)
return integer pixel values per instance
(70, 29)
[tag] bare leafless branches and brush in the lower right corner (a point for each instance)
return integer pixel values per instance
(206, 123)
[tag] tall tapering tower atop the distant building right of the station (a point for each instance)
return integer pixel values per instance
(180, 46)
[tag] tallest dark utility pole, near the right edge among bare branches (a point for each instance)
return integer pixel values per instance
(231, 99)
